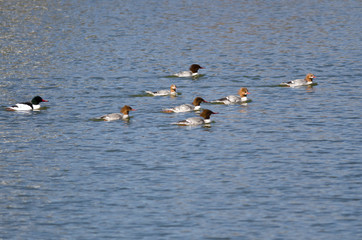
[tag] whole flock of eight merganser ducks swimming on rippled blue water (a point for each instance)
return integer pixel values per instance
(204, 118)
